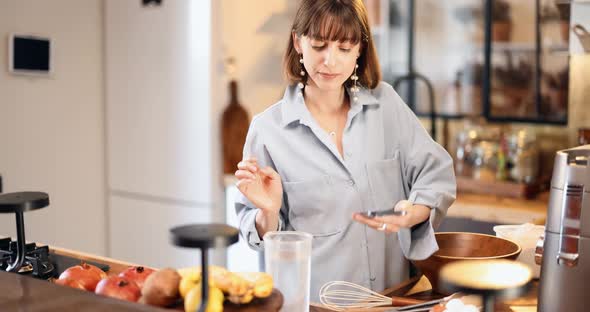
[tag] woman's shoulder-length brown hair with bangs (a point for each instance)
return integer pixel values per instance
(334, 20)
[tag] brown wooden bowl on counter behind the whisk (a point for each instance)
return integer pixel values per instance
(457, 246)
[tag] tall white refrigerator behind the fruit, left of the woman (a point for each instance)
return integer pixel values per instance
(161, 142)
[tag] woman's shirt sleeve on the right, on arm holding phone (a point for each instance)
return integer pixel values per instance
(429, 177)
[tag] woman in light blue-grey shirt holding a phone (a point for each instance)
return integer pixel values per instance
(338, 143)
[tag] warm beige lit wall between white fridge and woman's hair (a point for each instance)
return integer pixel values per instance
(255, 34)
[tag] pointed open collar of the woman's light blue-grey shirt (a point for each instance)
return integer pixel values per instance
(294, 109)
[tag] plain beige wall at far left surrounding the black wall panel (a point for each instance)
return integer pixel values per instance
(52, 129)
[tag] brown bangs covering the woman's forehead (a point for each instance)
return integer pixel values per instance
(333, 23)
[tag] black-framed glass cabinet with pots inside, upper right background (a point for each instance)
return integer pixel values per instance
(549, 103)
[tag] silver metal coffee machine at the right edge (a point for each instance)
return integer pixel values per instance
(565, 249)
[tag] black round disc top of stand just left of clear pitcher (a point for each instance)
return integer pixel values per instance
(204, 235)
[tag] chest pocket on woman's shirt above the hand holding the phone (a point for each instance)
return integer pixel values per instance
(385, 183)
